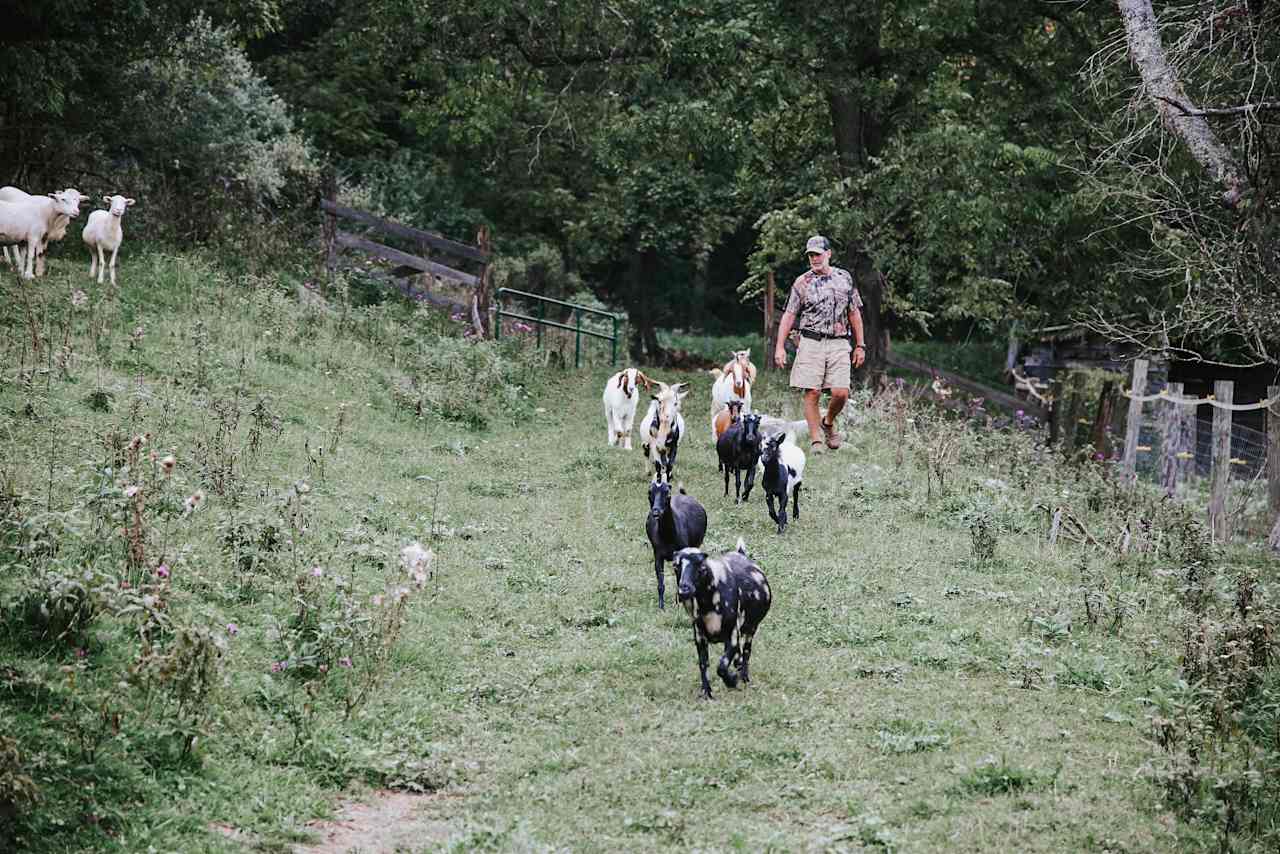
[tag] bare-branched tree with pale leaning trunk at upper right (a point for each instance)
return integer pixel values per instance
(1200, 179)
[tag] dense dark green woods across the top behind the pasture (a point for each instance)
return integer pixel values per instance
(976, 165)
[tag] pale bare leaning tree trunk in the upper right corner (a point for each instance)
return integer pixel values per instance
(1171, 101)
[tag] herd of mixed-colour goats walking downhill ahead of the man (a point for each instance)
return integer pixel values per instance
(728, 596)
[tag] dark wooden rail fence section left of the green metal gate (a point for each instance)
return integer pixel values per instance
(427, 245)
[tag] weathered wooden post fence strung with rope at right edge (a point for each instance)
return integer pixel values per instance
(1177, 418)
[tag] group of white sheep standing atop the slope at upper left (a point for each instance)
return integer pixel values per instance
(34, 222)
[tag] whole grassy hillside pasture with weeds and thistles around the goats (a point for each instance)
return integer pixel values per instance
(208, 657)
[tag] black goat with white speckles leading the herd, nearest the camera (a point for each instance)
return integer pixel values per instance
(728, 597)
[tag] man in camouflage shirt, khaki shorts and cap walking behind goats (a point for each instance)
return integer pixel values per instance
(825, 307)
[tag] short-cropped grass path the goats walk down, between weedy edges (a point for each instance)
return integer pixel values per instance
(885, 709)
